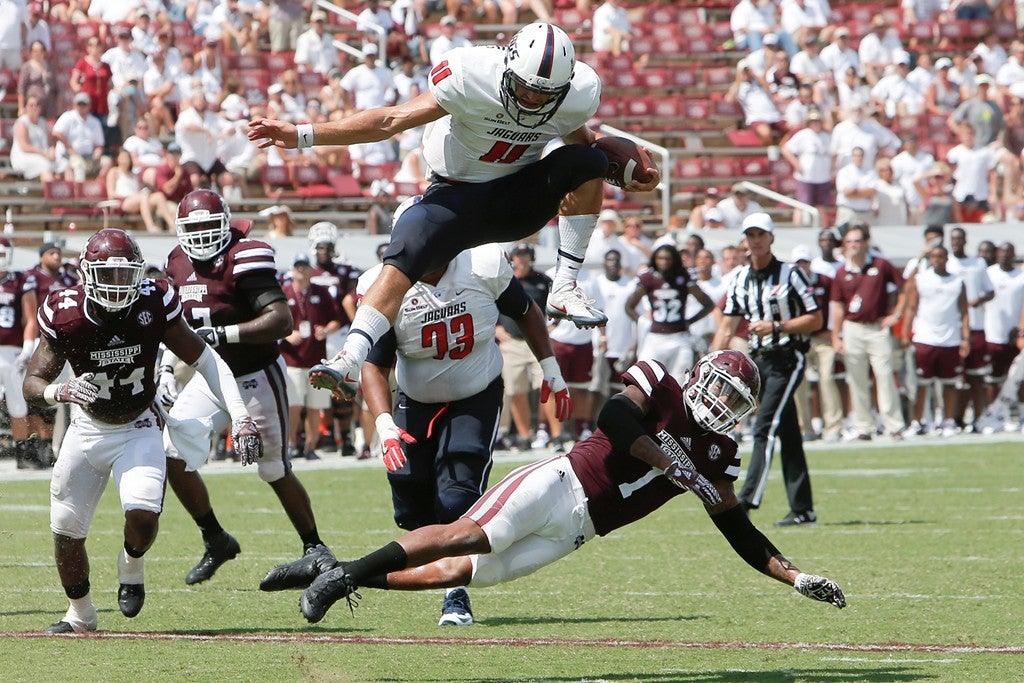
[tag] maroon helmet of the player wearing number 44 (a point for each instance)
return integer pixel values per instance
(112, 267)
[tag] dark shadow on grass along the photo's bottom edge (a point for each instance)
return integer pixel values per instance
(831, 675)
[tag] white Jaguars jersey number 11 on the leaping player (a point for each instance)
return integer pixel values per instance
(480, 142)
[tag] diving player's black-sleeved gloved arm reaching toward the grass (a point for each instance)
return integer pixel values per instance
(761, 554)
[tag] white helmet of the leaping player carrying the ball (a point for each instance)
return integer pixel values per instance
(540, 58)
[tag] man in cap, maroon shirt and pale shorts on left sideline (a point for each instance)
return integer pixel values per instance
(316, 315)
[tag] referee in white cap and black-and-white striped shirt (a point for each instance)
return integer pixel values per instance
(777, 301)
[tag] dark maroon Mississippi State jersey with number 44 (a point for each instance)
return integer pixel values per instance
(121, 352)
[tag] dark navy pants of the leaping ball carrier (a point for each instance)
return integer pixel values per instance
(454, 218)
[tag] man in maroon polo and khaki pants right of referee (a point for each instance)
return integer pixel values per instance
(868, 302)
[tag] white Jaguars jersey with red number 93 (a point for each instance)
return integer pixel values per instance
(446, 332)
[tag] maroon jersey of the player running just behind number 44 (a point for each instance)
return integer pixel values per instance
(214, 294)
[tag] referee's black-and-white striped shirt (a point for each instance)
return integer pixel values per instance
(778, 293)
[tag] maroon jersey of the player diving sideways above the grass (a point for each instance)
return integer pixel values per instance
(621, 489)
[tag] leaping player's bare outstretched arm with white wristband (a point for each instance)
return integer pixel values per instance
(367, 126)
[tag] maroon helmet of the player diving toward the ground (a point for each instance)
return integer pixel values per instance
(723, 390)
